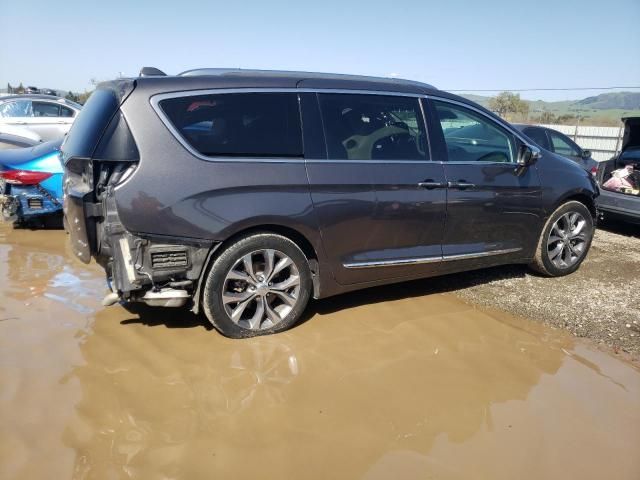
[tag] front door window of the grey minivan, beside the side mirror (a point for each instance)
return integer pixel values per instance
(472, 137)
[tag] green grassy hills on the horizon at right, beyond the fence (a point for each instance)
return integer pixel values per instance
(604, 109)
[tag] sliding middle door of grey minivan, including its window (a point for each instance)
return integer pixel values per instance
(379, 198)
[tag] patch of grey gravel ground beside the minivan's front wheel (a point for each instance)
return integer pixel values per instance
(600, 301)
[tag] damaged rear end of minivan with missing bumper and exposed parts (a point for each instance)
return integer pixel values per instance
(99, 156)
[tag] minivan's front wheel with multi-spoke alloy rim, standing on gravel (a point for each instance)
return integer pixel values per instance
(565, 240)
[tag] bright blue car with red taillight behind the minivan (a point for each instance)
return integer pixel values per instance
(31, 183)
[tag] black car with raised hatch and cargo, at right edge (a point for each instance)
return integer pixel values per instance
(619, 178)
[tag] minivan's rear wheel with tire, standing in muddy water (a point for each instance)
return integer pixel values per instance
(259, 285)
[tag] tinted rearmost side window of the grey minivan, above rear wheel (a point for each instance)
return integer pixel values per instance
(239, 124)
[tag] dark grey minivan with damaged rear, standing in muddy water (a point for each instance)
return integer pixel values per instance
(244, 193)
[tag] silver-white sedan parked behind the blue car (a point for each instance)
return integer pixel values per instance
(47, 116)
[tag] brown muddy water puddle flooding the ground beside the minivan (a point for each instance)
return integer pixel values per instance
(391, 383)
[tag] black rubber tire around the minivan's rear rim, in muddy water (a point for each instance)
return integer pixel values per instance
(212, 302)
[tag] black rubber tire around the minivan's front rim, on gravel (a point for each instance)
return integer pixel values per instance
(542, 262)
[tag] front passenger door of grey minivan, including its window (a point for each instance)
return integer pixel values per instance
(493, 207)
